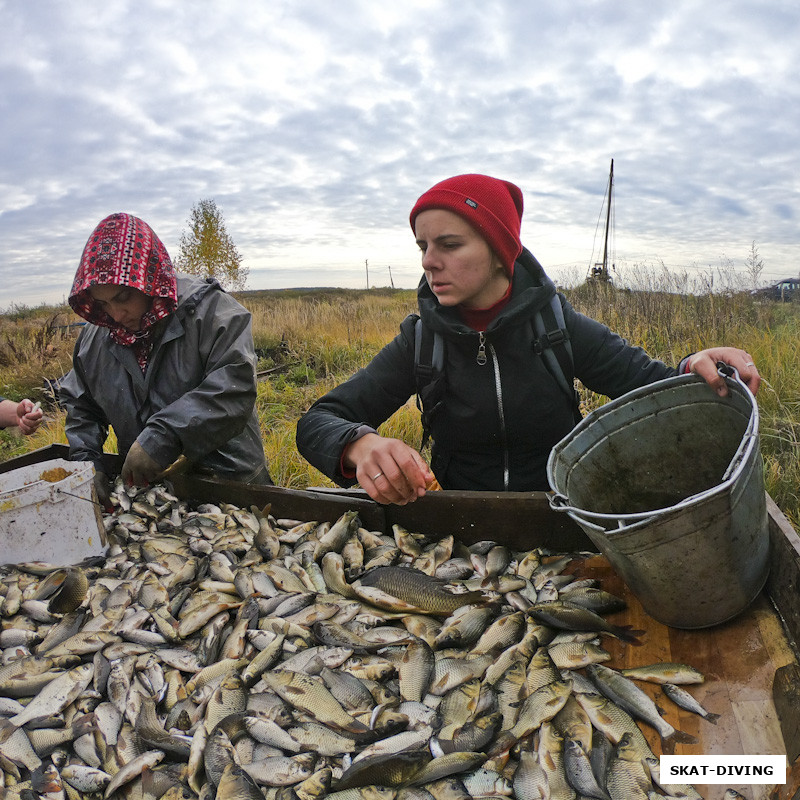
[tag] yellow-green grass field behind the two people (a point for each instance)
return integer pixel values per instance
(310, 340)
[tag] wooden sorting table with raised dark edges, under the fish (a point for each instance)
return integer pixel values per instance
(751, 662)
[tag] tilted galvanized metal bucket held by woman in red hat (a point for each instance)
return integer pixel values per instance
(667, 481)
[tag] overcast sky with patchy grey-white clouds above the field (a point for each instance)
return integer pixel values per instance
(315, 124)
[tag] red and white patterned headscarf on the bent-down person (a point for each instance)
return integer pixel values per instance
(123, 250)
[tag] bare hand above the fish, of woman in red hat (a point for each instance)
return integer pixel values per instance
(388, 470)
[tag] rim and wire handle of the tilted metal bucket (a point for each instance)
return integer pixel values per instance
(560, 502)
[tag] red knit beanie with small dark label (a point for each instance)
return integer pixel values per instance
(493, 207)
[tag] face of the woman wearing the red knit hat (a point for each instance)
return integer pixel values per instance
(459, 265)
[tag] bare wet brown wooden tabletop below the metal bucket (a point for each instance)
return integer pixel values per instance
(739, 659)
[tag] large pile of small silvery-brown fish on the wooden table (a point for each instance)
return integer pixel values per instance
(218, 652)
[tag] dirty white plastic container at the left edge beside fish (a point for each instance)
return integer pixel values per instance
(54, 521)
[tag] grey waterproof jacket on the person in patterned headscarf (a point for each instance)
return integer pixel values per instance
(196, 398)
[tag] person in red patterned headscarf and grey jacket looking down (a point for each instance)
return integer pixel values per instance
(167, 361)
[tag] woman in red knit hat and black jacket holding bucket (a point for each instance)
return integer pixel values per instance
(501, 408)
